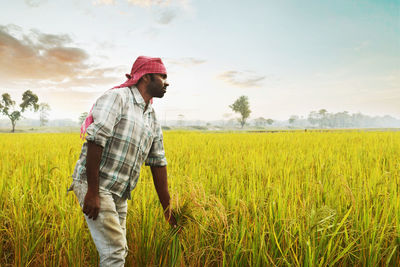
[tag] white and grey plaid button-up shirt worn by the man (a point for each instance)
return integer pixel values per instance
(129, 136)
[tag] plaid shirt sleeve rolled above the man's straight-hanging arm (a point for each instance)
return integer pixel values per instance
(106, 114)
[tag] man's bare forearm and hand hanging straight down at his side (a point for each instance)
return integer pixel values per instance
(91, 205)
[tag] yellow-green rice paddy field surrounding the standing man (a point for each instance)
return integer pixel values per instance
(242, 199)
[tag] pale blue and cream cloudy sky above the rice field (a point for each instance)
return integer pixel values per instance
(288, 57)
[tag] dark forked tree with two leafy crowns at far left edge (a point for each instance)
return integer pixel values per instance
(29, 101)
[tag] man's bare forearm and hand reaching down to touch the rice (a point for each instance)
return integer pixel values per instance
(161, 184)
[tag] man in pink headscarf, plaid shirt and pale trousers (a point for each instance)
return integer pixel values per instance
(122, 133)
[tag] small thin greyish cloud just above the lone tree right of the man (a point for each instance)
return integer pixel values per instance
(241, 79)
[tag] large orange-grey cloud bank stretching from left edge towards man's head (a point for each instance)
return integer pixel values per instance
(47, 59)
